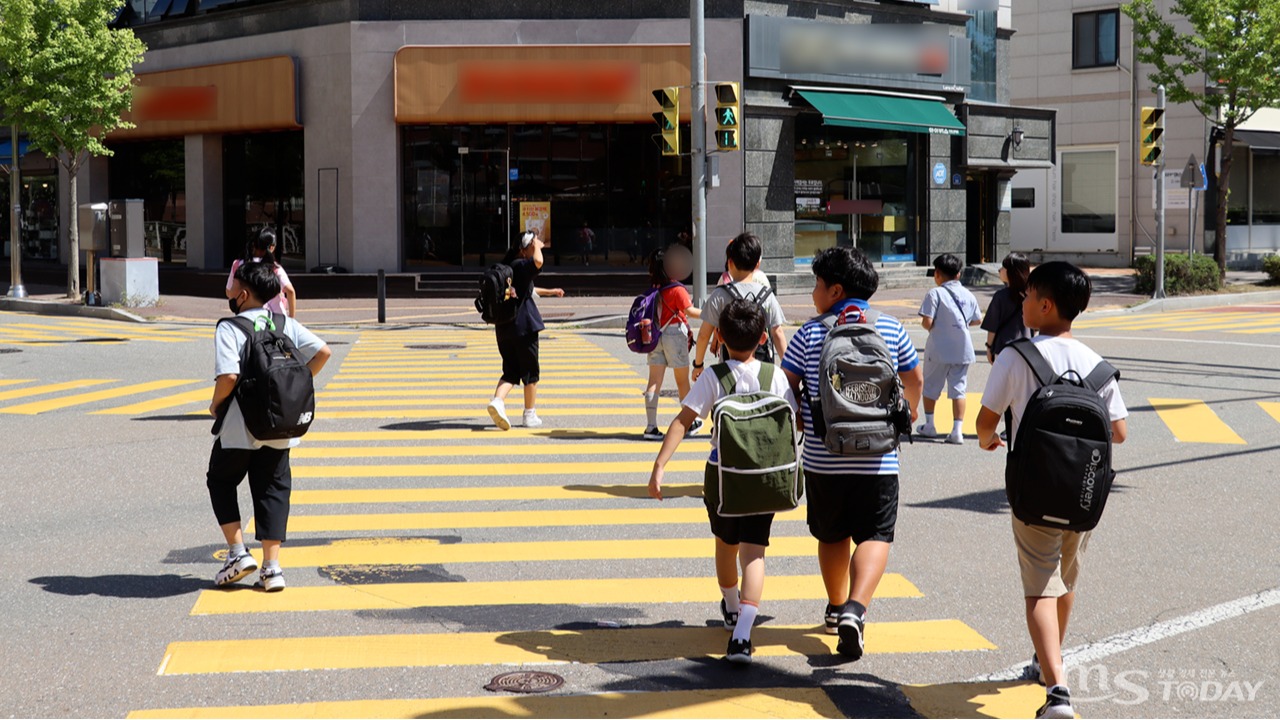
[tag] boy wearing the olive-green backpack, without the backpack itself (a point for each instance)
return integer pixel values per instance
(739, 539)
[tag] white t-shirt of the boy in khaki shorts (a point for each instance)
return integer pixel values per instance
(1012, 381)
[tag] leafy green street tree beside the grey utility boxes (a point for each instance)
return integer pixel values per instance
(72, 81)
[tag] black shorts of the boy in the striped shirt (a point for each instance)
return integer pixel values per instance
(862, 508)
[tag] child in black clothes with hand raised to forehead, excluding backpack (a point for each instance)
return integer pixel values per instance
(518, 340)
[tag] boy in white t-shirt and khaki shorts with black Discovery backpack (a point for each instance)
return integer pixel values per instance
(1052, 557)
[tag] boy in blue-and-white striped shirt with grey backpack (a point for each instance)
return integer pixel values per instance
(862, 386)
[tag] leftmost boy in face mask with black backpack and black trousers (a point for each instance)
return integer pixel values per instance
(255, 426)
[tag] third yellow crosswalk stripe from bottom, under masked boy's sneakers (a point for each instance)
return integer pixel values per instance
(474, 594)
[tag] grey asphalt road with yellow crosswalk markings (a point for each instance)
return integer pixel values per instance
(463, 553)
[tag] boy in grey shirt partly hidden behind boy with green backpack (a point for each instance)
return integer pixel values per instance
(743, 261)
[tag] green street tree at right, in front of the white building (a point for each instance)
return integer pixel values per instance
(1228, 67)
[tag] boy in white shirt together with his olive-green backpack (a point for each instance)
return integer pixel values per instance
(743, 514)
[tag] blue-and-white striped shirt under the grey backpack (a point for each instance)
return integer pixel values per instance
(804, 354)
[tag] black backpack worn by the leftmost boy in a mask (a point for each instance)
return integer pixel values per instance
(275, 390)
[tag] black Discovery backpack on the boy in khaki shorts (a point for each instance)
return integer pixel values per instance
(1058, 473)
